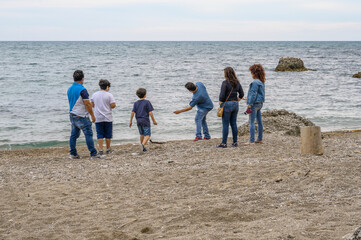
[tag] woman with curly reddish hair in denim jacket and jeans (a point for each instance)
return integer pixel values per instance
(255, 100)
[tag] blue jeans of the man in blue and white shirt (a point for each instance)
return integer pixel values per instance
(84, 124)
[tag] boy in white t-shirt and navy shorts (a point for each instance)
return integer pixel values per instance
(103, 102)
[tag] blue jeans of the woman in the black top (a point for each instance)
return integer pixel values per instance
(229, 117)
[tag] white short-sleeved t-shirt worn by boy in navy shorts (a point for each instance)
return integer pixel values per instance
(102, 109)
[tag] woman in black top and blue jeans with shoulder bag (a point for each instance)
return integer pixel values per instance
(232, 88)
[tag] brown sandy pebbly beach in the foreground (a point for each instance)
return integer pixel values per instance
(184, 190)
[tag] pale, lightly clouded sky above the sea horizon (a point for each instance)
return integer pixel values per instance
(180, 20)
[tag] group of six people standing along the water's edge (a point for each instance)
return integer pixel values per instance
(81, 106)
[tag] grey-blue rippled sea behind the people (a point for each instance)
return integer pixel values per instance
(35, 76)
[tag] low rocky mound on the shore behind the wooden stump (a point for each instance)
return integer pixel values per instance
(287, 123)
